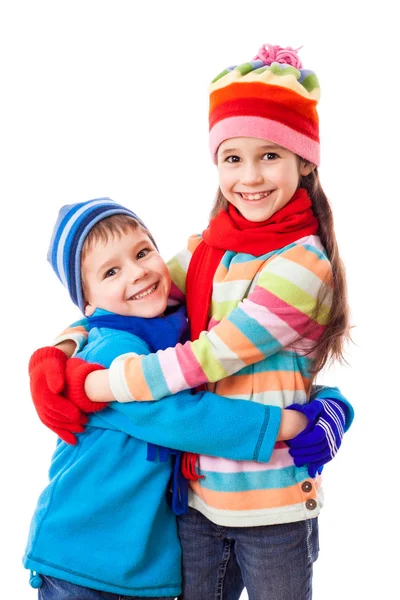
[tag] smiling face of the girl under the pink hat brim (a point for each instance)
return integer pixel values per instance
(257, 176)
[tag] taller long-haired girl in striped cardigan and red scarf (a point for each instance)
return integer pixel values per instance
(266, 297)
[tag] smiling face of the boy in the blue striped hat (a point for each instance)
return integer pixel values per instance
(126, 276)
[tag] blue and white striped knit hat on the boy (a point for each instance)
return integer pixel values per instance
(70, 231)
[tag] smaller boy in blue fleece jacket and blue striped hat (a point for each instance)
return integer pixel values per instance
(103, 527)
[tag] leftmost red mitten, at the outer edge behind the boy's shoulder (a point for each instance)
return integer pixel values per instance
(47, 380)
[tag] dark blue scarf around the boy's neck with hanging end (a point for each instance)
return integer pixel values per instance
(158, 333)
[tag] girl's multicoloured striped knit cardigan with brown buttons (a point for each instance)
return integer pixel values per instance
(262, 326)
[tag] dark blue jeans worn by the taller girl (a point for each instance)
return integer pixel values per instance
(273, 562)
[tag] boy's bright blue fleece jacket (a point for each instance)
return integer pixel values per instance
(103, 521)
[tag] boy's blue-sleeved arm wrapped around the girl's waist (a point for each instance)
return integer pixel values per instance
(202, 422)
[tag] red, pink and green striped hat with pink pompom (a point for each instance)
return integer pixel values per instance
(272, 98)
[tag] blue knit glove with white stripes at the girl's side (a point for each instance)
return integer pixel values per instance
(321, 439)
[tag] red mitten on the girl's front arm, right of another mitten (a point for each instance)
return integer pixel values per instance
(76, 372)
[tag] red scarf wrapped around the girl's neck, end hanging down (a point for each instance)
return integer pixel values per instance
(229, 230)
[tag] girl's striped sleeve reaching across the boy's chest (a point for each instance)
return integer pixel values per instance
(281, 310)
